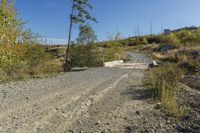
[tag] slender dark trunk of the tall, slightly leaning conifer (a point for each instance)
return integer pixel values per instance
(66, 67)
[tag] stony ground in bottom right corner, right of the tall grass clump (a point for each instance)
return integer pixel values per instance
(191, 99)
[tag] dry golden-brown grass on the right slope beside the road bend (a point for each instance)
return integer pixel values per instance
(187, 58)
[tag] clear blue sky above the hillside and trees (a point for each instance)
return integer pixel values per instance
(50, 18)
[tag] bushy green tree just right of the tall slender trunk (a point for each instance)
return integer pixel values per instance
(85, 53)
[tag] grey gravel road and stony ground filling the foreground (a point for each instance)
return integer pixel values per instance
(96, 100)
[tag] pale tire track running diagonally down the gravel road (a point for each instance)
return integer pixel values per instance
(74, 110)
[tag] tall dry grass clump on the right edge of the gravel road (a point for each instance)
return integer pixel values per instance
(164, 85)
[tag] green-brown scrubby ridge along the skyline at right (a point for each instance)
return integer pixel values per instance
(177, 38)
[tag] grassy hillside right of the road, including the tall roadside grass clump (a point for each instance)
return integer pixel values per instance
(178, 54)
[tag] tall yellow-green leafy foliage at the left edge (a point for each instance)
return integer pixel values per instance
(20, 56)
